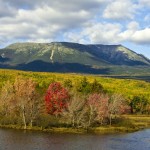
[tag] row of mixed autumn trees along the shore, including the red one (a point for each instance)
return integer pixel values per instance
(83, 105)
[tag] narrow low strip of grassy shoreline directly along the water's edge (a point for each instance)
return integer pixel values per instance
(95, 130)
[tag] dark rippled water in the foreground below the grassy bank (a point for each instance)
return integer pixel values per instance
(29, 140)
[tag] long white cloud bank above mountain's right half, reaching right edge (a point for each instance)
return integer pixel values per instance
(107, 33)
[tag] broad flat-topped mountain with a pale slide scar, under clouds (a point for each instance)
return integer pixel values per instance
(72, 57)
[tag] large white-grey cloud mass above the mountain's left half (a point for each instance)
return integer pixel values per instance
(43, 22)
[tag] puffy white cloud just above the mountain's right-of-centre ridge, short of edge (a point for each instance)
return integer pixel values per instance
(105, 33)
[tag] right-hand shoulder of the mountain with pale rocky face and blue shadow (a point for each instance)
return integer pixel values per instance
(119, 55)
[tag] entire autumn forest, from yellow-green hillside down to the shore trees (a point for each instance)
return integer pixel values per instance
(46, 100)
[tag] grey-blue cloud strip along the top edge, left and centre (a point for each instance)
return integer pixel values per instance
(65, 5)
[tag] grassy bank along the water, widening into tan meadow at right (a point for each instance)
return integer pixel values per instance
(129, 123)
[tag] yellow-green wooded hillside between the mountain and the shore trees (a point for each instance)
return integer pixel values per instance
(126, 87)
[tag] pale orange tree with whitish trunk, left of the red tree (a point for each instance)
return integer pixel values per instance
(25, 99)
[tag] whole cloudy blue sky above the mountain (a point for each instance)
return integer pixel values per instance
(125, 22)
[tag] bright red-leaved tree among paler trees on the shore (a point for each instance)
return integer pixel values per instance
(56, 99)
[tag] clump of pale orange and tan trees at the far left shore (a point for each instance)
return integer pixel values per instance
(19, 98)
